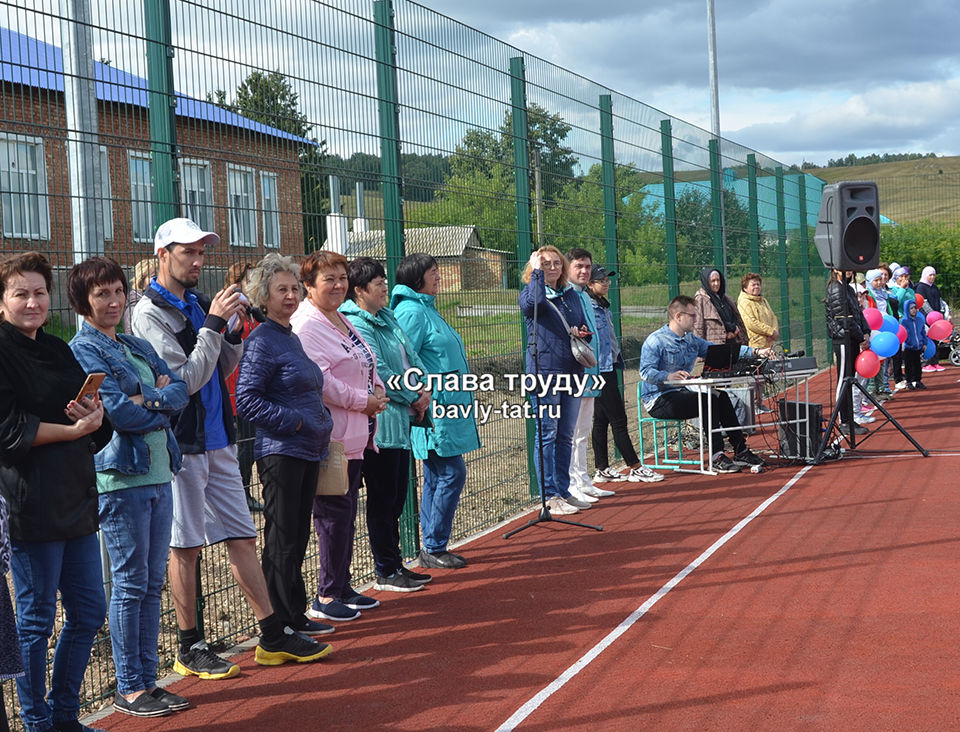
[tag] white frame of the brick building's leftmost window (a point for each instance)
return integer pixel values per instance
(35, 223)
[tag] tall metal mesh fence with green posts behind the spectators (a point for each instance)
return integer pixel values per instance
(285, 126)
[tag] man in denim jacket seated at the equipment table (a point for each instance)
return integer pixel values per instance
(668, 355)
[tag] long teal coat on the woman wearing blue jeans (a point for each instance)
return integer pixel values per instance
(441, 350)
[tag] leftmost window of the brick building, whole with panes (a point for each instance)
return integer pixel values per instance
(23, 188)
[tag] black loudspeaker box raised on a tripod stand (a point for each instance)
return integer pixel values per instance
(848, 226)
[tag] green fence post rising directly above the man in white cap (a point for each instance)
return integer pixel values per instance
(162, 102)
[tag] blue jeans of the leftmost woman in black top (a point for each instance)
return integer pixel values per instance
(39, 569)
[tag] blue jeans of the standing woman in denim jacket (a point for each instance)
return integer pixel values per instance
(136, 529)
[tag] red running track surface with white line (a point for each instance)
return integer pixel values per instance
(817, 597)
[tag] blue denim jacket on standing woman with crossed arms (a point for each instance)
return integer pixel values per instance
(127, 451)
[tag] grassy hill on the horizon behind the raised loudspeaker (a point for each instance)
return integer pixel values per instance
(910, 190)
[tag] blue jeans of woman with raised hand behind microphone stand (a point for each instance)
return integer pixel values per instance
(557, 433)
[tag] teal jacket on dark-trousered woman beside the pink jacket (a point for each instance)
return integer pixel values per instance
(383, 334)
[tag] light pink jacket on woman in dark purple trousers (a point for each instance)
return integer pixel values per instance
(345, 376)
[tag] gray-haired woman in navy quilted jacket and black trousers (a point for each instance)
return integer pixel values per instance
(280, 390)
